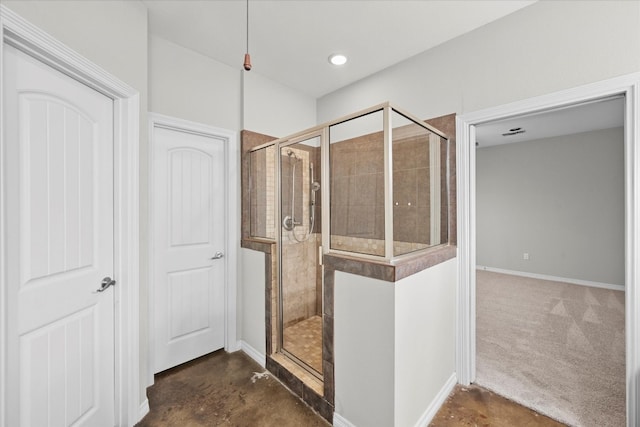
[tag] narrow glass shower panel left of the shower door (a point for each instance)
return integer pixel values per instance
(262, 188)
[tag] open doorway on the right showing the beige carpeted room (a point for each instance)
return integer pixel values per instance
(550, 261)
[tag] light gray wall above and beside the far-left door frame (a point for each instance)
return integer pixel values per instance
(112, 34)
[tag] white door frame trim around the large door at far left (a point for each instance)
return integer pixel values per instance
(19, 33)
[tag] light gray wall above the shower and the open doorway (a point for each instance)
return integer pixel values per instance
(540, 49)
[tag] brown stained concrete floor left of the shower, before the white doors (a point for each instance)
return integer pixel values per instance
(224, 389)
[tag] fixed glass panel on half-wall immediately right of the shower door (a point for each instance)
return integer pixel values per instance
(356, 161)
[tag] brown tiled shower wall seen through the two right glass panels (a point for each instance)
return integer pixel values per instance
(357, 194)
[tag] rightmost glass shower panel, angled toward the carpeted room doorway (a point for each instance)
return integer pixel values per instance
(419, 186)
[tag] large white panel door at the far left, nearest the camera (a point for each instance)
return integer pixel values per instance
(58, 184)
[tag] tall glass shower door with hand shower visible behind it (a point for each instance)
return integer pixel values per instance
(300, 270)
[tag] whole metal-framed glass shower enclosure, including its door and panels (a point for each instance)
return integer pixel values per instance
(371, 185)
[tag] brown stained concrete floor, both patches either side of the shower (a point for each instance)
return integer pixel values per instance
(230, 389)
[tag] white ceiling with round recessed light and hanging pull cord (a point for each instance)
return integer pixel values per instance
(290, 40)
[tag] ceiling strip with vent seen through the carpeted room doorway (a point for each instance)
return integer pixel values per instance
(603, 114)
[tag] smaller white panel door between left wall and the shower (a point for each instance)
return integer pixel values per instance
(189, 230)
